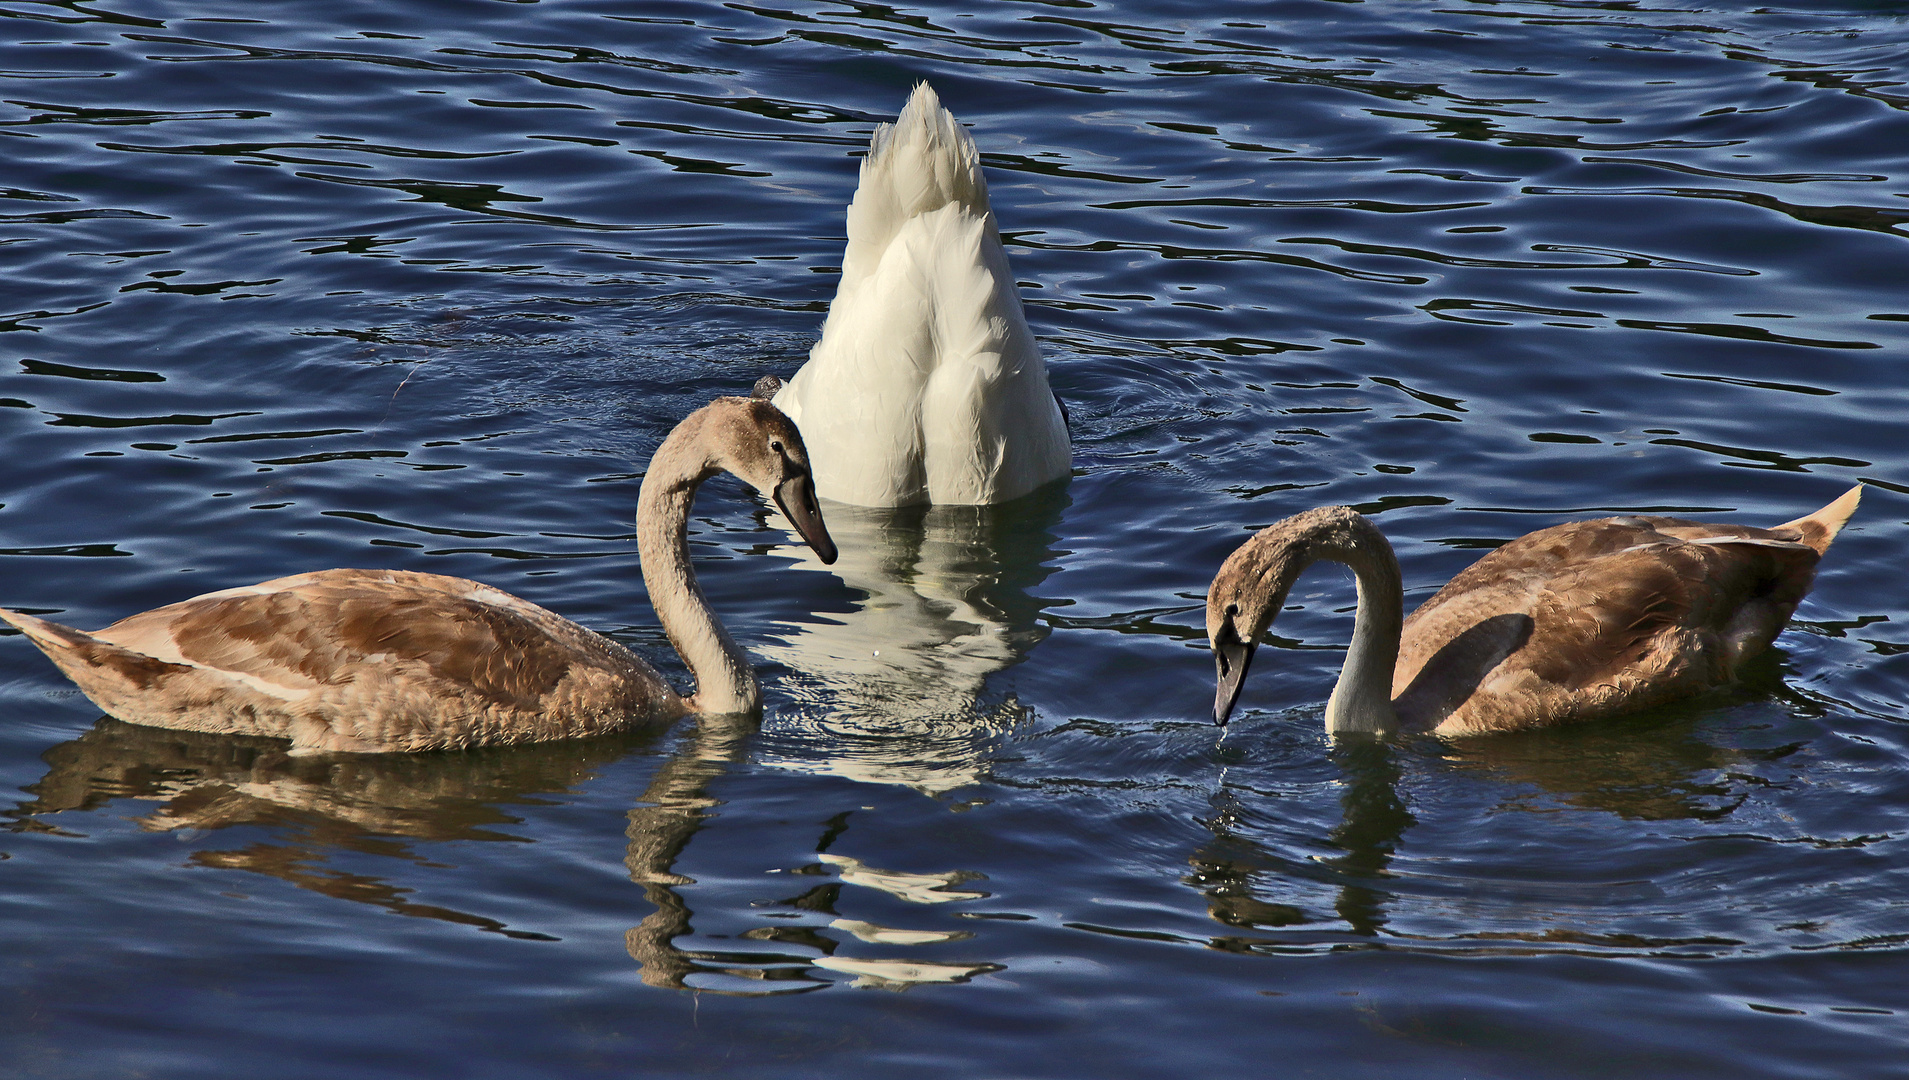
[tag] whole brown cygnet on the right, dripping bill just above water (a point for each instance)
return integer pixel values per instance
(1564, 625)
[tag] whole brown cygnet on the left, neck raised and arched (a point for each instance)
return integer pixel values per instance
(379, 661)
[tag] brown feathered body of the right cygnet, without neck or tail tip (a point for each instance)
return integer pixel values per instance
(1618, 615)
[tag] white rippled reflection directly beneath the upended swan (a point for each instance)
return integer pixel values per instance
(894, 692)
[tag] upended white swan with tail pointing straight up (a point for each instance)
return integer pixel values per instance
(927, 384)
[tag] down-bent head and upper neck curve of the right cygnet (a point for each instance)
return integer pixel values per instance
(1253, 585)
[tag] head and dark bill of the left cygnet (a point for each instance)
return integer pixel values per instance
(759, 444)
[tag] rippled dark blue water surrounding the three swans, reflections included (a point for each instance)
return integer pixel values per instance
(423, 285)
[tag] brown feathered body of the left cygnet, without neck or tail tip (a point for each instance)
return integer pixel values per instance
(392, 661)
